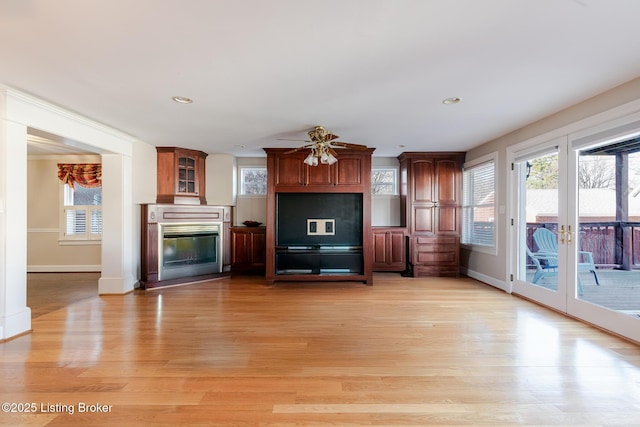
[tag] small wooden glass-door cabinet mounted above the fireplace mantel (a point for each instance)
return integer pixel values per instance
(181, 176)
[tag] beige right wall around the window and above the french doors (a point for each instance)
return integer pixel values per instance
(607, 106)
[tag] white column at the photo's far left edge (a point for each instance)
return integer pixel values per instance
(15, 316)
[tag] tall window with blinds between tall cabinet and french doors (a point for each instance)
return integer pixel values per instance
(479, 203)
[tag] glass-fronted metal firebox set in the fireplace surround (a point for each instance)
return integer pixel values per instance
(191, 249)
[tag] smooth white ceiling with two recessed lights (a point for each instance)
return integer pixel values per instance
(374, 72)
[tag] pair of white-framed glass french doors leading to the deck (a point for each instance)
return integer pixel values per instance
(574, 244)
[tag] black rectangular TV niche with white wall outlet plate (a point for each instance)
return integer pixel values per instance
(338, 215)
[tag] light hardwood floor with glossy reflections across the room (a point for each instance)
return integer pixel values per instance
(236, 352)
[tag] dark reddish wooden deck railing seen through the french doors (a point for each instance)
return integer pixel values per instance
(604, 239)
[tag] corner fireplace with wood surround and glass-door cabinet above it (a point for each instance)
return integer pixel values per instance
(183, 238)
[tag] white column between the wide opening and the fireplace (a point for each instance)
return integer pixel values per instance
(117, 225)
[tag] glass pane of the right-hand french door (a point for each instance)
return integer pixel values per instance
(608, 237)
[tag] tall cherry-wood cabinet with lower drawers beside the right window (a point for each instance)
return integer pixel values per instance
(431, 207)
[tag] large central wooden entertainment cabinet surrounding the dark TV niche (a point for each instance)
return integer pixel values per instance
(287, 173)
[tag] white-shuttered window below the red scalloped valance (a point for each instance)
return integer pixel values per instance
(82, 213)
